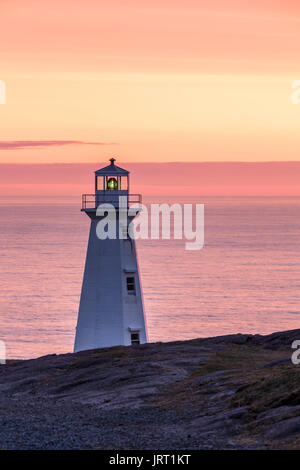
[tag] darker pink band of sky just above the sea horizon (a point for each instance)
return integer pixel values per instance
(198, 179)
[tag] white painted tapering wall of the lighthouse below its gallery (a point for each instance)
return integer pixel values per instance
(106, 311)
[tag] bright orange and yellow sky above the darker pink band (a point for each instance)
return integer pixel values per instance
(149, 80)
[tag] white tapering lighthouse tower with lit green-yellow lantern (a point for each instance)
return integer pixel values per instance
(111, 305)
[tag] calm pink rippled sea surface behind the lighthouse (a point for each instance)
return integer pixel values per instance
(246, 279)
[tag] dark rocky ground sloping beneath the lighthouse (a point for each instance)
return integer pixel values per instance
(229, 392)
